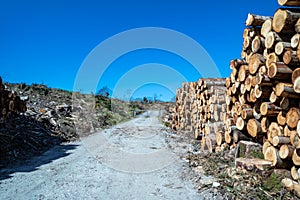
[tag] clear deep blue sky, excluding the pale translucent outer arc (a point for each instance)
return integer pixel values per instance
(47, 41)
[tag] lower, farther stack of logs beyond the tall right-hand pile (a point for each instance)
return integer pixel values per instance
(200, 109)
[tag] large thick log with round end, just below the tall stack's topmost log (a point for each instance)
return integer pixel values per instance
(284, 21)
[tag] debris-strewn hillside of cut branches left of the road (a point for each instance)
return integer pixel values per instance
(54, 116)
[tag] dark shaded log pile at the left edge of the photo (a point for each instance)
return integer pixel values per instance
(10, 103)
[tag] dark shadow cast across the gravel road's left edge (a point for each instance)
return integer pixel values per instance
(34, 163)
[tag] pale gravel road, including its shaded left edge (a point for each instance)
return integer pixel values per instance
(131, 160)
